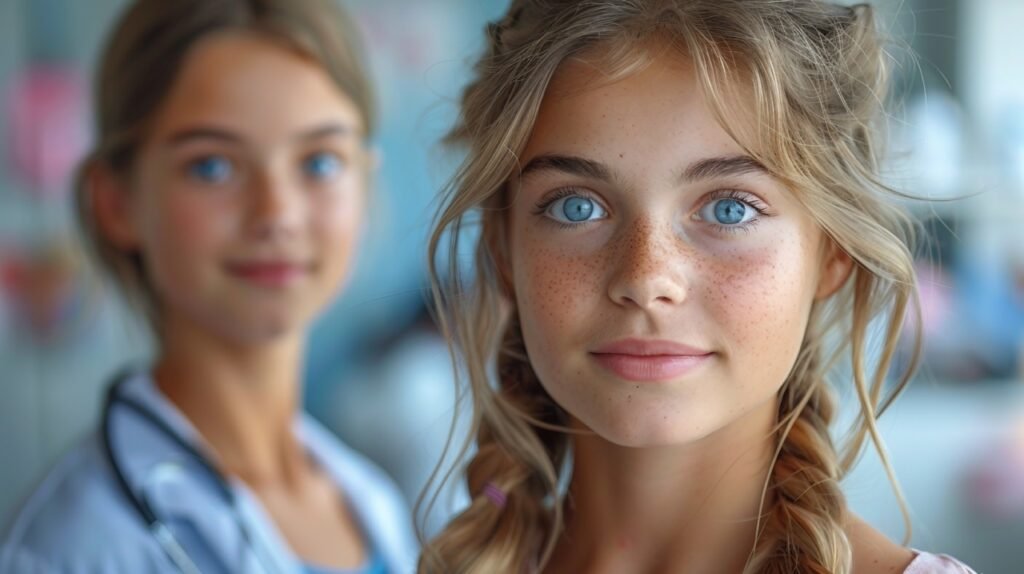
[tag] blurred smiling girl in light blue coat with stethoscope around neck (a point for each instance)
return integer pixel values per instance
(226, 196)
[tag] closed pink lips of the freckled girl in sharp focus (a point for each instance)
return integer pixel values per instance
(643, 361)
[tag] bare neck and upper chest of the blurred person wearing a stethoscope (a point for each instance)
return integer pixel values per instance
(242, 400)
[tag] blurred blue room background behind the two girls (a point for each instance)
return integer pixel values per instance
(956, 438)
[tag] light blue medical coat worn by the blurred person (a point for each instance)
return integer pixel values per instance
(78, 521)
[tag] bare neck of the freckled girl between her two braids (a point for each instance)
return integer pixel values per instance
(671, 509)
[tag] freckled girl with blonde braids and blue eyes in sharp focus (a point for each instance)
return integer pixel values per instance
(682, 231)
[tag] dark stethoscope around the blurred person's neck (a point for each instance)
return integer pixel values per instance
(176, 552)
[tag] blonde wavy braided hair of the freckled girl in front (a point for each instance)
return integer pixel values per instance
(819, 78)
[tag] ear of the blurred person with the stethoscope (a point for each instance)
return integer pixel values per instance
(110, 202)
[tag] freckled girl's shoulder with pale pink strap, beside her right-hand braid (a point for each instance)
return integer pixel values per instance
(875, 553)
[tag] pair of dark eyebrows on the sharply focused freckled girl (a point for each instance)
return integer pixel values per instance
(708, 168)
